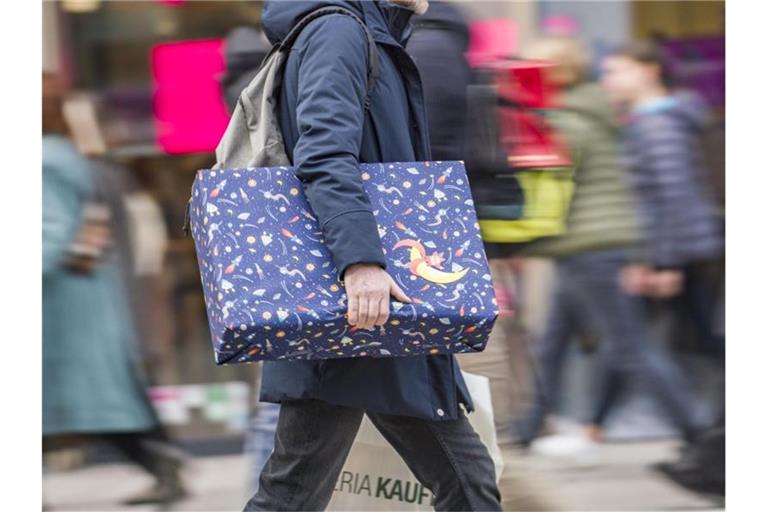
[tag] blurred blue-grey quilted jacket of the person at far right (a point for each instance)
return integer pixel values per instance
(666, 167)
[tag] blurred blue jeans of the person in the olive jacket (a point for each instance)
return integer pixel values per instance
(588, 294)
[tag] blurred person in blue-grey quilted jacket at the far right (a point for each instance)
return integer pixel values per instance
(664, 131)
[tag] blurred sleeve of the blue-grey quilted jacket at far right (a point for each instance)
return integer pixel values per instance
(665, 163)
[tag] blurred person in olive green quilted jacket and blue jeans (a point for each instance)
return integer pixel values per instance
(602, 239)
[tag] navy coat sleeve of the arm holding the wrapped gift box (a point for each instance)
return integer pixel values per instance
(329, 115)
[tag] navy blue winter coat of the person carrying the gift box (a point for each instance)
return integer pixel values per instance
(327, 134)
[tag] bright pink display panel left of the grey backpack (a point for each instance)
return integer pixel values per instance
(190, 113)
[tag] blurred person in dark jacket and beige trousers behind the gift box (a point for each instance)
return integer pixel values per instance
(438, 45)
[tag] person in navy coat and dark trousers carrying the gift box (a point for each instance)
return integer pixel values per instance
(413, 401)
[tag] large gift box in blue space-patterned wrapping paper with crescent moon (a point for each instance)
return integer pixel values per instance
(272, 291)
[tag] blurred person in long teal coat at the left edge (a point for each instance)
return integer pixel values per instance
(93, 384)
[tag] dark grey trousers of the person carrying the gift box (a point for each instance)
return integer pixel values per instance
(313, 440)
